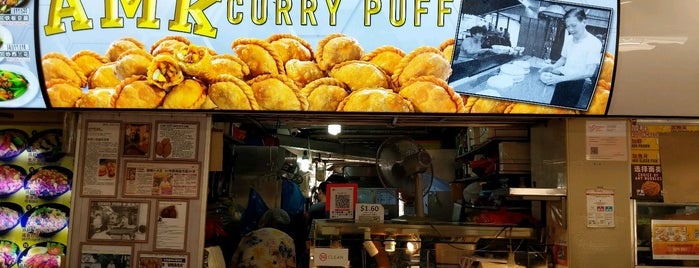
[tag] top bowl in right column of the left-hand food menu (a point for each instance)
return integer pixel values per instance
(47, 145)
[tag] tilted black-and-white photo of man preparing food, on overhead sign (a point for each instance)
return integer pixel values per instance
(540, 52)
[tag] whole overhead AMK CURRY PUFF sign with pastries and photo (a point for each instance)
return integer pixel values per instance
(396, 56)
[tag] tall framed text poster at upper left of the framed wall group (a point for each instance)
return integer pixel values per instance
(101, 154)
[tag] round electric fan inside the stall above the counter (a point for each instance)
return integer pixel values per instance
(403, 164)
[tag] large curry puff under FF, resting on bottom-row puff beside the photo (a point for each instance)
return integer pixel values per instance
(422, 61)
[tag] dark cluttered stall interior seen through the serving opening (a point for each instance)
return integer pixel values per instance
(485, 202)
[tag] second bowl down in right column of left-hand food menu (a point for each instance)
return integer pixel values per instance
(48, 182)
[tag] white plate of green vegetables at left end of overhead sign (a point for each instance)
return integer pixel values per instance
(18, 85)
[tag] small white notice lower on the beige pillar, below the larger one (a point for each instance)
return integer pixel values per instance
(600, 208)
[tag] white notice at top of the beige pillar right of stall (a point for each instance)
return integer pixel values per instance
(606, 141)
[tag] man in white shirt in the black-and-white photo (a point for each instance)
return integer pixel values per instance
(580, 57)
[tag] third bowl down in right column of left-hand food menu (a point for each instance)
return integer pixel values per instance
(46, 220)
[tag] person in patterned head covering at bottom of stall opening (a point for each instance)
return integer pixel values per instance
(267, 246)
